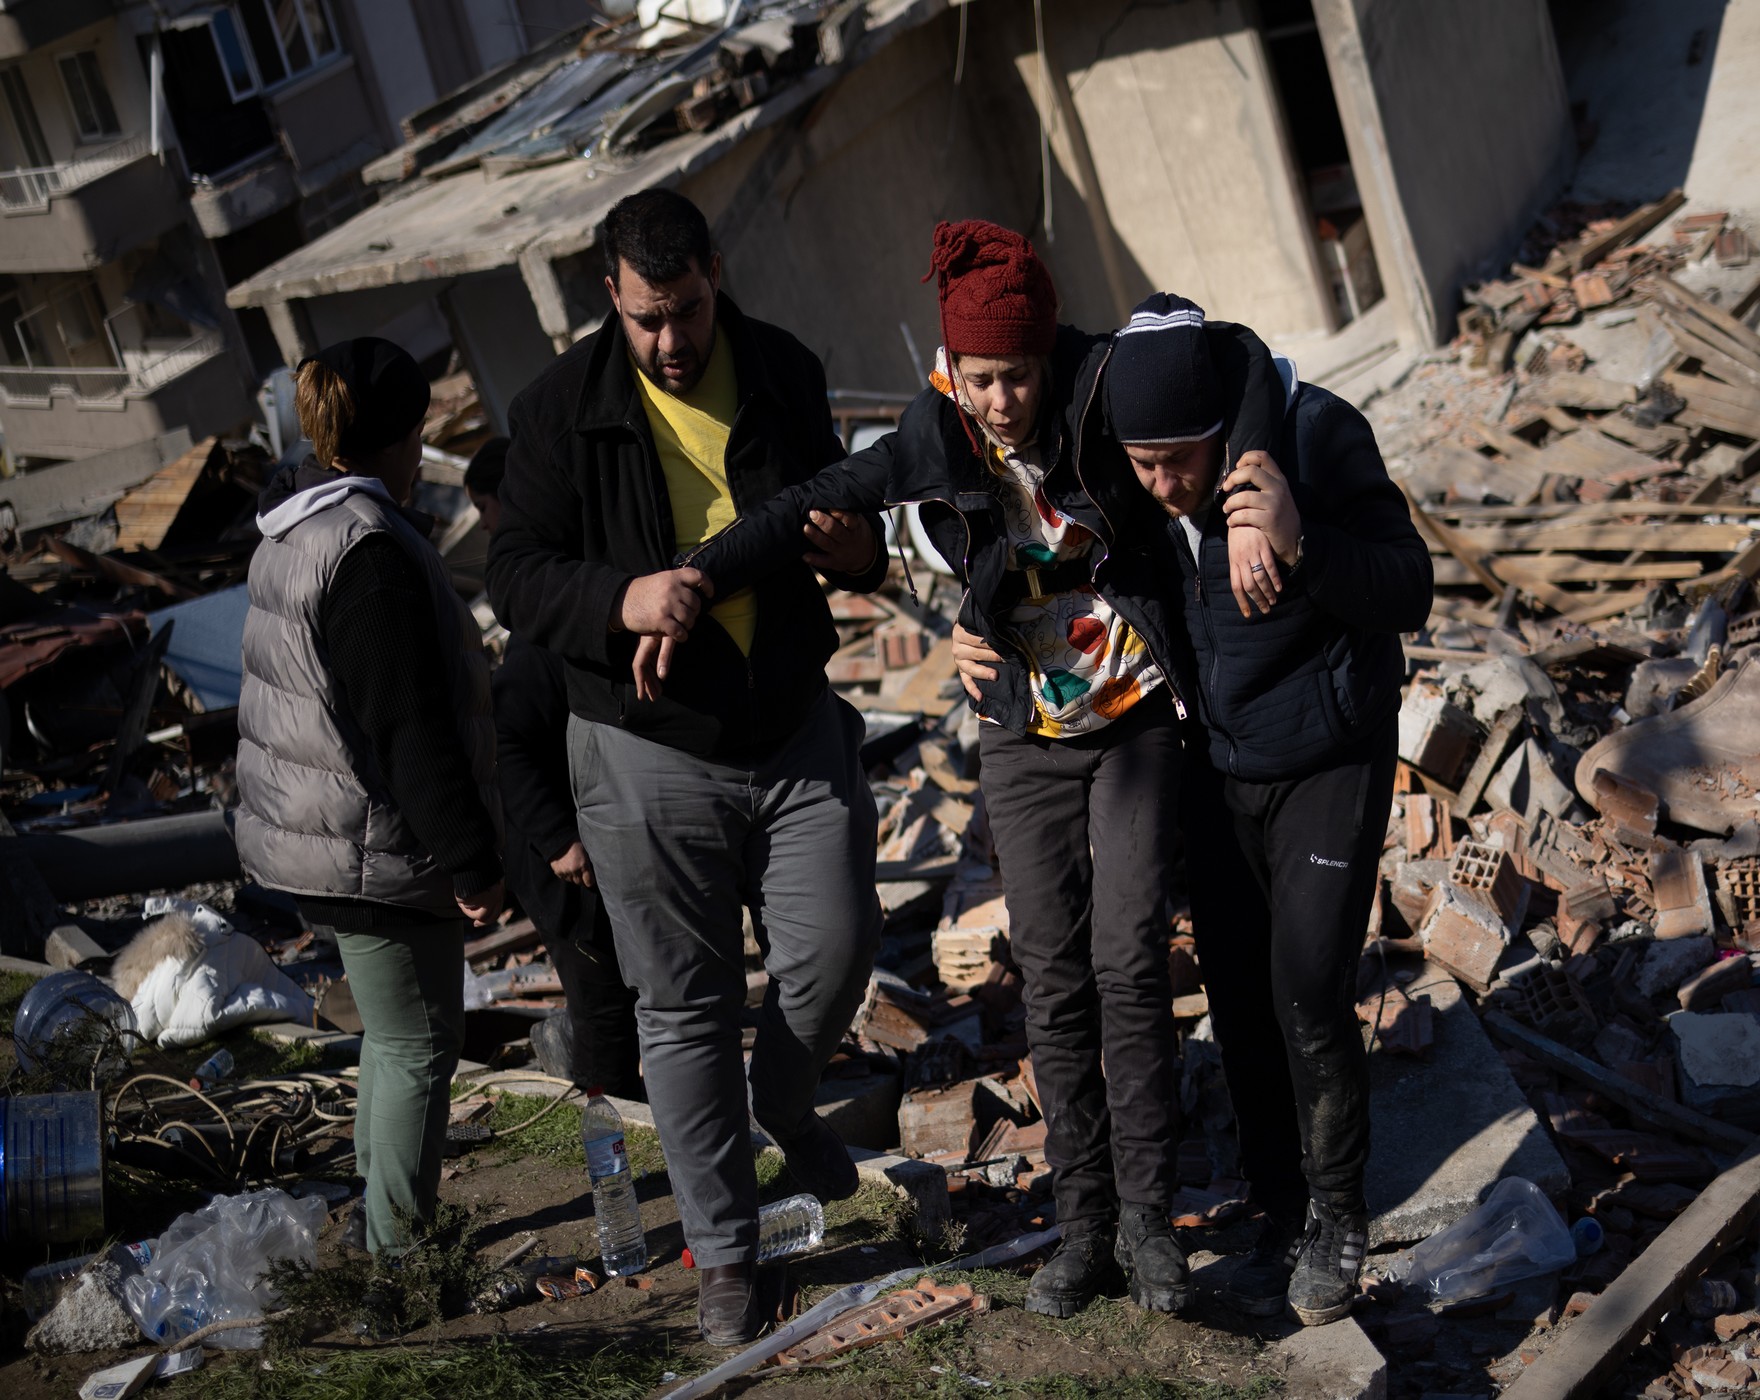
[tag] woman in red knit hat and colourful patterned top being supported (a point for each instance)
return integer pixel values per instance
(1082, 737)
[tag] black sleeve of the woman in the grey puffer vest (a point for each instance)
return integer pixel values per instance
(385, 647)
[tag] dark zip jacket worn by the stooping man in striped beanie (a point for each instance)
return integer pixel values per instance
(1307, 686)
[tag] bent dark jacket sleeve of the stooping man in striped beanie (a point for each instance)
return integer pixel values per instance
(1363, 559)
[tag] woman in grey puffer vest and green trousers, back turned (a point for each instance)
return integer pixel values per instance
(367, 756)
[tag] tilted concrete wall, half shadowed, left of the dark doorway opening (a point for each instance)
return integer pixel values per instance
(826, 223)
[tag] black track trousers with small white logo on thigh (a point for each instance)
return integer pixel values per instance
(1282, 883)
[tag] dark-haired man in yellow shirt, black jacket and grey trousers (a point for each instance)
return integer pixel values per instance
(742, 785)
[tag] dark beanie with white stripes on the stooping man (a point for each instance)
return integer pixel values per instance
(1161, 385)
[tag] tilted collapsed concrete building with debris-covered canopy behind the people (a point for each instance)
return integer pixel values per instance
(1296, 165)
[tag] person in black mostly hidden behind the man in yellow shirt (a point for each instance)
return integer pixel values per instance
(546, 866)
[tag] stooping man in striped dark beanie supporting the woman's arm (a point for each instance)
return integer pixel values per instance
(1289, 783)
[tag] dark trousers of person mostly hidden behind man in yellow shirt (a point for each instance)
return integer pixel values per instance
(601, 1008)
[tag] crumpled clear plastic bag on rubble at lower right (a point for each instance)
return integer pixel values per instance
(1514, 1235)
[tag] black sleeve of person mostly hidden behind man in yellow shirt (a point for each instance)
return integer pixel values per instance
(532, 749)
